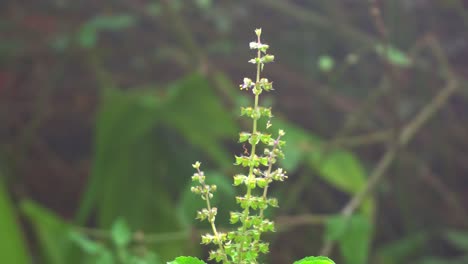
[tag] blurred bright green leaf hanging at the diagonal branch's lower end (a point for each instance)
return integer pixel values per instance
(353, 235)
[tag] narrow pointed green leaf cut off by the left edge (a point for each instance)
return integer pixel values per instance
(12, 244)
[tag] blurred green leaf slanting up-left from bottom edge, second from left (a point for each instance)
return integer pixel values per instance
(52, 233)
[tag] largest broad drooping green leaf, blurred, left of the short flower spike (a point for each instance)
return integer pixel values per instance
(135, 159)
